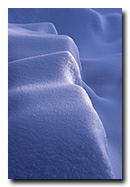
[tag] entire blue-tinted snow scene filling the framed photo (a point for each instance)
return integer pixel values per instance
(64, 94)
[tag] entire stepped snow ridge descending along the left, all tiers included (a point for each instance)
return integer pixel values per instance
(54, 132)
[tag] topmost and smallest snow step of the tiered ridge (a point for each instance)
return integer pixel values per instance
(32, 28)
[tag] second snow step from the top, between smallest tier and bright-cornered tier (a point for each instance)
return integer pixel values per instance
(24, 45)
